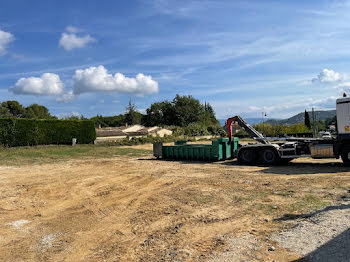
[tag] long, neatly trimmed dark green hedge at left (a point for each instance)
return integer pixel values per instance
(28, 132)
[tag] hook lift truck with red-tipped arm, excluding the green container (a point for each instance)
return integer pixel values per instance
(268, 153)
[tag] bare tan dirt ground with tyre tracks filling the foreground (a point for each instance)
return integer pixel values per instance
(142, 209)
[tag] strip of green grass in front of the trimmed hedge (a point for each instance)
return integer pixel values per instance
(47, 154)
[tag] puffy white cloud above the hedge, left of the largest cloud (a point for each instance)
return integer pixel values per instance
(47, 84)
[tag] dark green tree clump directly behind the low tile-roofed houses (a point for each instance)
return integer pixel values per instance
(184, 114)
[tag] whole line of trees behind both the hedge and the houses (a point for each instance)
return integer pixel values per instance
(184, 114)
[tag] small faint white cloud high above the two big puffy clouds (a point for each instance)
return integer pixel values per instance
(70, 40)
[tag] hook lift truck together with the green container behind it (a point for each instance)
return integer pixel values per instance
(265, 152)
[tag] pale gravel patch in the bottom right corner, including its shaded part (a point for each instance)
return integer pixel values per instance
(321, 236)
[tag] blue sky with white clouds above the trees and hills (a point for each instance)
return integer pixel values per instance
(243, 57)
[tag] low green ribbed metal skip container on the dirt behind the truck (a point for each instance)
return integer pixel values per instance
(220, 149)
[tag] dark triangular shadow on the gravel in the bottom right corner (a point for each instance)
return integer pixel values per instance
(336, 249)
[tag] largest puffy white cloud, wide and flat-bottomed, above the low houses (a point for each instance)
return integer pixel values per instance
(97, 79)
